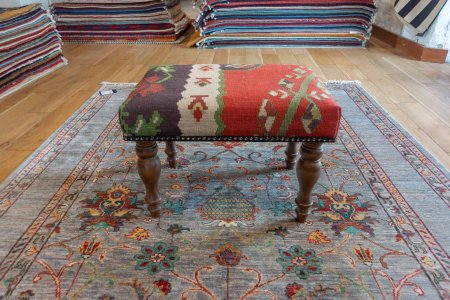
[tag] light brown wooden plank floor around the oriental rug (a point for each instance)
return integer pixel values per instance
(416, 94)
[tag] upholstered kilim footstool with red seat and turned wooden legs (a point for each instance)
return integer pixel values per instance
(251, 103)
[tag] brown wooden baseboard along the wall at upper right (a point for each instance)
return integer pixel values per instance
(411, 48)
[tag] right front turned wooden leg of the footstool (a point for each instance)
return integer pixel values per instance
(308, 172)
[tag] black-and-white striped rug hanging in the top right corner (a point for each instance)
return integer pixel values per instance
(420, 14)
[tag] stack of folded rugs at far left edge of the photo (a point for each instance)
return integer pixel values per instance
(30, 47)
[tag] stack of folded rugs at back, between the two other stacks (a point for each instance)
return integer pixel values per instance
(120, 21)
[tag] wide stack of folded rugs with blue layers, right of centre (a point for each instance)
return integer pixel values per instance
(284, 23)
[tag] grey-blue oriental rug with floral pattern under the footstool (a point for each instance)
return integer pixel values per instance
(74, 226)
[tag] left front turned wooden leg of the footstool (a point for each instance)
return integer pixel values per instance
(149, 168)
